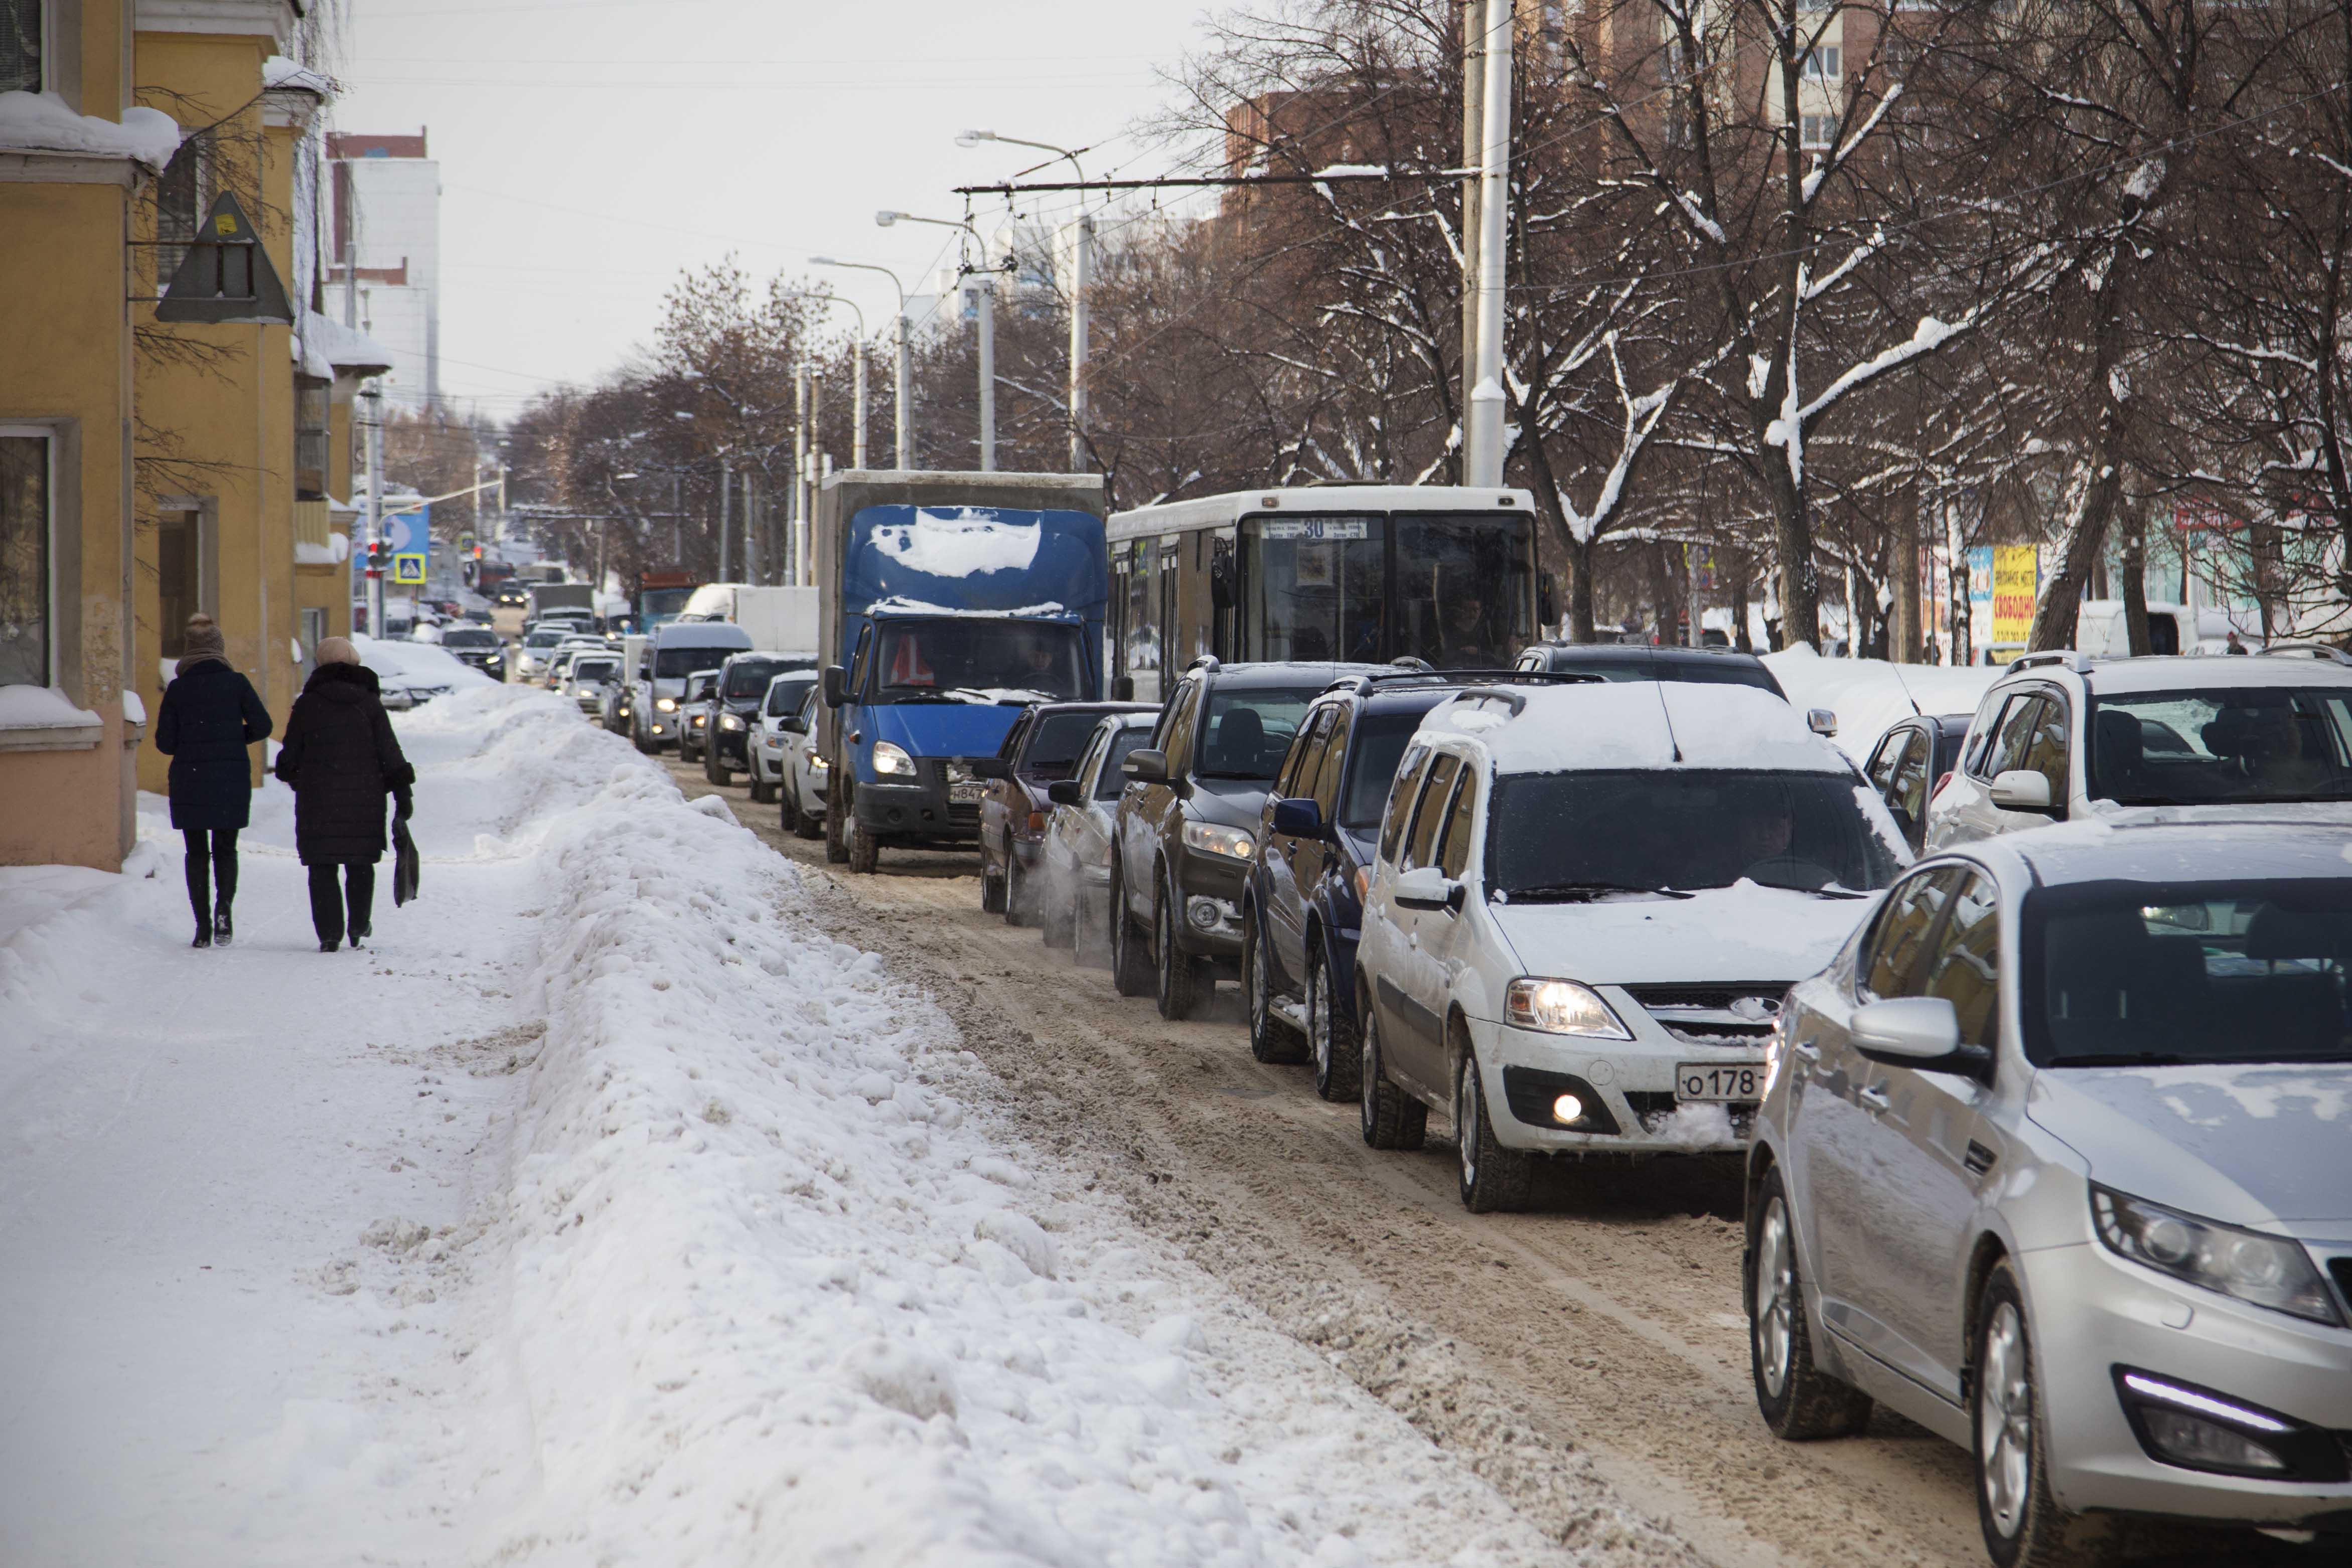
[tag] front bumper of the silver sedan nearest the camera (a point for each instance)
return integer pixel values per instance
(2092, 1313)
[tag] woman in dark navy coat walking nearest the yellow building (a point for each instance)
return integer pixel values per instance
(211, 716)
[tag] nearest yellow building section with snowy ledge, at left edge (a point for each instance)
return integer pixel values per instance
(76, 161)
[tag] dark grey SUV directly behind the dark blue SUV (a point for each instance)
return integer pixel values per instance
(1189, 824)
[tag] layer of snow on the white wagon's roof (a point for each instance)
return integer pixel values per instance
(1638, 725)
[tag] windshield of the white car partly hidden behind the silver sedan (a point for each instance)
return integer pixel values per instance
(2189, 749)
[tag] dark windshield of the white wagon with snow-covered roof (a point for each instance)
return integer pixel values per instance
(1593, 833)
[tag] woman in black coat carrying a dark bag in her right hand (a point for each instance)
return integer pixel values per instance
(342, 760)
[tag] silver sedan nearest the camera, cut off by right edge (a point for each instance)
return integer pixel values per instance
(2057, 1160)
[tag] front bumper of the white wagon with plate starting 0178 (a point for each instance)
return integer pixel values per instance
(1631, 1080)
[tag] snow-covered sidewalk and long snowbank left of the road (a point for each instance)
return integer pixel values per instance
(603, 1214)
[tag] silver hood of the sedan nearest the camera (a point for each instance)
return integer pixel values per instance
(2243, 1144)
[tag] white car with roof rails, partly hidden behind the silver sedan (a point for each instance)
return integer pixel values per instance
(2066, 737)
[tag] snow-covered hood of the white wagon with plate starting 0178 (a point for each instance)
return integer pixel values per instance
(1744, 932)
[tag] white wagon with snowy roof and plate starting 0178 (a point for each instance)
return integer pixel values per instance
(1584, 913)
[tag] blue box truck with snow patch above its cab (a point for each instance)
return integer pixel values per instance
(947, 605)
